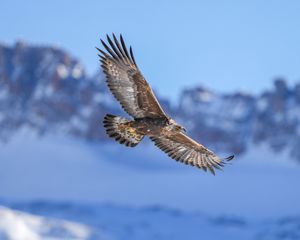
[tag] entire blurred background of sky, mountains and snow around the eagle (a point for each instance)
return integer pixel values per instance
(228, 71)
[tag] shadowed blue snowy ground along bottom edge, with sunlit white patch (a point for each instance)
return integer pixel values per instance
(111, 222)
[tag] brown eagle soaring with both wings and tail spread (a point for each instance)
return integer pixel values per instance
(128, 85)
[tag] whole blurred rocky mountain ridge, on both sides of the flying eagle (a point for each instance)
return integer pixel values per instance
(46, 89)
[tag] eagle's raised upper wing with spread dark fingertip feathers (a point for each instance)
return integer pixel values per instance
(126, 82)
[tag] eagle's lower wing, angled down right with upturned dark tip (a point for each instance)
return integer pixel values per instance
(184, 149)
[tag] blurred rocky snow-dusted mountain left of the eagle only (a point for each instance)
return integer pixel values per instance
(46, 89)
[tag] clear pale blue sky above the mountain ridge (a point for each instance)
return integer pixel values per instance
(224, 45)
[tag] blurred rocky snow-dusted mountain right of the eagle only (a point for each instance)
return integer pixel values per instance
(233, 122)
